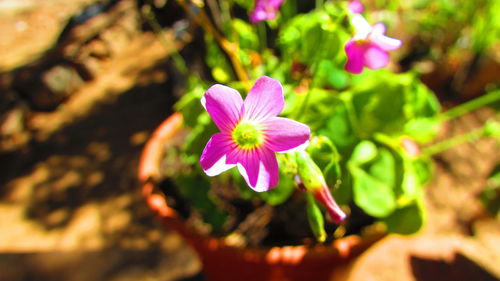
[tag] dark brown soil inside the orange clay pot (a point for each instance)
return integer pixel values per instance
(254, 222)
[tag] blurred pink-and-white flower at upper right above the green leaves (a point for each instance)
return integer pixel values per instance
(369, 46)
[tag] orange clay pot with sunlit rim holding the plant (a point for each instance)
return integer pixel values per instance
(224, 262)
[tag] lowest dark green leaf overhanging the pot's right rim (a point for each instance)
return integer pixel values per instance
(406, 220)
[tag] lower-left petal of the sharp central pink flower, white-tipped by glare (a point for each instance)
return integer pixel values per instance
(213, 159)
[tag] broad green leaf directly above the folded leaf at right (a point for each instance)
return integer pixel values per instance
(385, 102)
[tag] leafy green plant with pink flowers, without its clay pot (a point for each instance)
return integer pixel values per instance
(343, 145)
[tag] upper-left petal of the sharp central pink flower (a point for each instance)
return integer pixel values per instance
(224, 106)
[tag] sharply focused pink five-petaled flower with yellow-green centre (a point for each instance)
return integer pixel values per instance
(250, 132)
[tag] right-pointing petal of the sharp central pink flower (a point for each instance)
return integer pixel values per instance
(286, 135)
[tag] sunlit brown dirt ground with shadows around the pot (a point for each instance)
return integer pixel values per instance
(70, 207)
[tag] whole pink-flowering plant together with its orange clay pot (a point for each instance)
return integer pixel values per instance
(318, 161)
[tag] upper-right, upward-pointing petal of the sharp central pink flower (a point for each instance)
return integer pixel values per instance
(264, 100)
